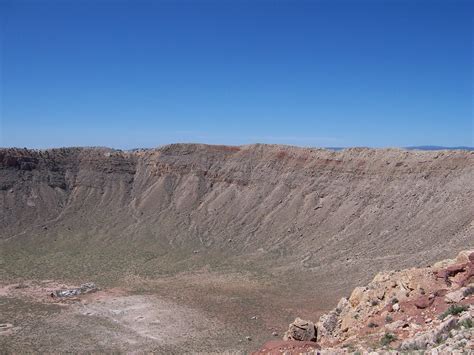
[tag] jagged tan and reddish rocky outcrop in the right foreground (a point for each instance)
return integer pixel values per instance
(429, 309)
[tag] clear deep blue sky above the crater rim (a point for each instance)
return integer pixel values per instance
(128, 74)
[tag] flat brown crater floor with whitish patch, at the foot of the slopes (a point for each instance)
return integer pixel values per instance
(194, 312)
